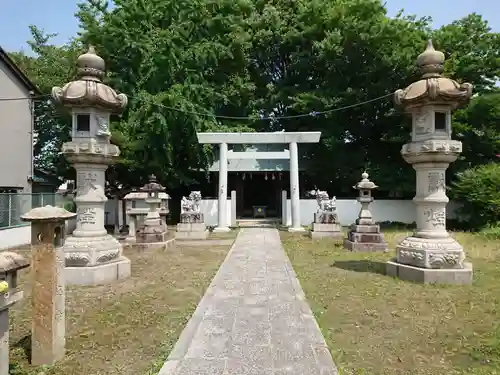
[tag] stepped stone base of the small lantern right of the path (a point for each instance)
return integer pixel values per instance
(365, 237)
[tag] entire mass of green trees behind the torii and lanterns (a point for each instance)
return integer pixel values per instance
(184, 62)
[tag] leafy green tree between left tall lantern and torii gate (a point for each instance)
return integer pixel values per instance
(191, 56)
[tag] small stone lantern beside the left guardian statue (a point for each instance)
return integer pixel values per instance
(153, 230)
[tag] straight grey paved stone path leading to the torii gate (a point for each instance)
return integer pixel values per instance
(253, 319)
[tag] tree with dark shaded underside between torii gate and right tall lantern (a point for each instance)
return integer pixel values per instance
(313, 56)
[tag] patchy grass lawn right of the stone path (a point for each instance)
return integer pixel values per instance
(376, 324)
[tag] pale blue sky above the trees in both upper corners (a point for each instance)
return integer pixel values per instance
(57, 16)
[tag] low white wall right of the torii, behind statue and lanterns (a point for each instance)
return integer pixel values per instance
(382, 210)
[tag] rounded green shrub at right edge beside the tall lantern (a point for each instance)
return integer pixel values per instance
(478, 189)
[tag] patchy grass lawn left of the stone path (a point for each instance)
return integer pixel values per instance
(128, 327)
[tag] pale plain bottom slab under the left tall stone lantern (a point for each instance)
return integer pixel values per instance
(100, 274)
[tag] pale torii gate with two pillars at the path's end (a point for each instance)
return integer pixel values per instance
(292, 138)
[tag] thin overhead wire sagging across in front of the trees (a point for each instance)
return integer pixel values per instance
(261, 118)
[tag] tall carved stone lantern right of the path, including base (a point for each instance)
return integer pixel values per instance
(431, 255)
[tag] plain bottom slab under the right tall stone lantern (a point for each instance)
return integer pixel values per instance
(451, 276)
